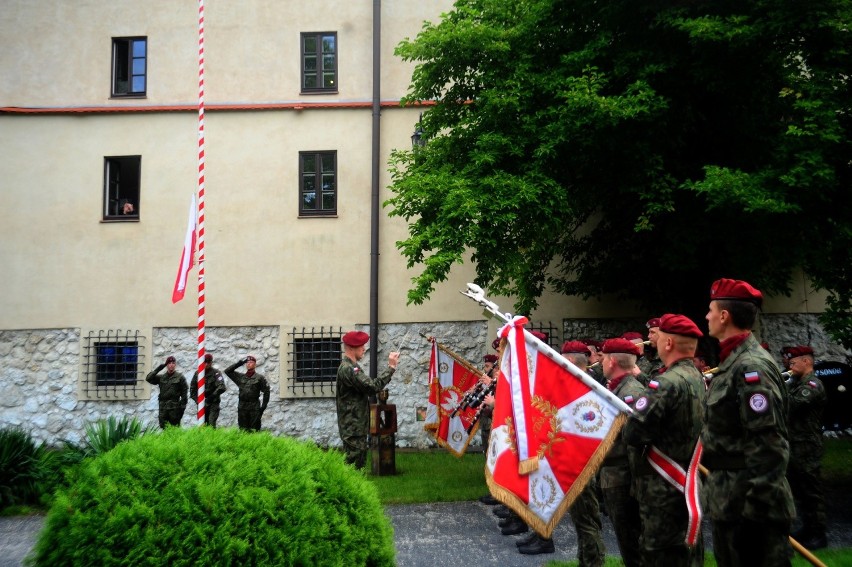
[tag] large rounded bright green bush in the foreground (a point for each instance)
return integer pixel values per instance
(204, 496)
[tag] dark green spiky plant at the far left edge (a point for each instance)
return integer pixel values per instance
(20, 470)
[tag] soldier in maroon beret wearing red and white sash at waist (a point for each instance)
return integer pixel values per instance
(668, 417)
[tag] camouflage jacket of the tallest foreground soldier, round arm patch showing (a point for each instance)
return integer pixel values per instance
(745, 439)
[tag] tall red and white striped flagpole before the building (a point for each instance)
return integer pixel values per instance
(201, 331)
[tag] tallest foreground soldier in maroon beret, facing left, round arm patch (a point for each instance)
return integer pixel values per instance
(745, 437)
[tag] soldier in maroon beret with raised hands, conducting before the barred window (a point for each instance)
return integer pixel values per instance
(354, 387)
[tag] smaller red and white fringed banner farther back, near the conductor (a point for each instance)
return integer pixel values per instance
(450, 376)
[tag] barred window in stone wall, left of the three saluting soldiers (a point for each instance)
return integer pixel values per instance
(113, 362)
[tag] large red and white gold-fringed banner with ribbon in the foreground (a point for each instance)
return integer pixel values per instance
(553, 424)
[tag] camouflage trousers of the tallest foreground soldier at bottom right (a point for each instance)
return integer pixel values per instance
(756, 544)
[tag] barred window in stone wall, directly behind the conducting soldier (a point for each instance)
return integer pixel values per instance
(314, 355)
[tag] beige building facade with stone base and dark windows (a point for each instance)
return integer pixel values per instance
(99, 107)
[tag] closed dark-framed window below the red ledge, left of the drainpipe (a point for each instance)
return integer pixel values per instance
(318, 183)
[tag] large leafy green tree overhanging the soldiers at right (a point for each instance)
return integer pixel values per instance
(632, 148)
